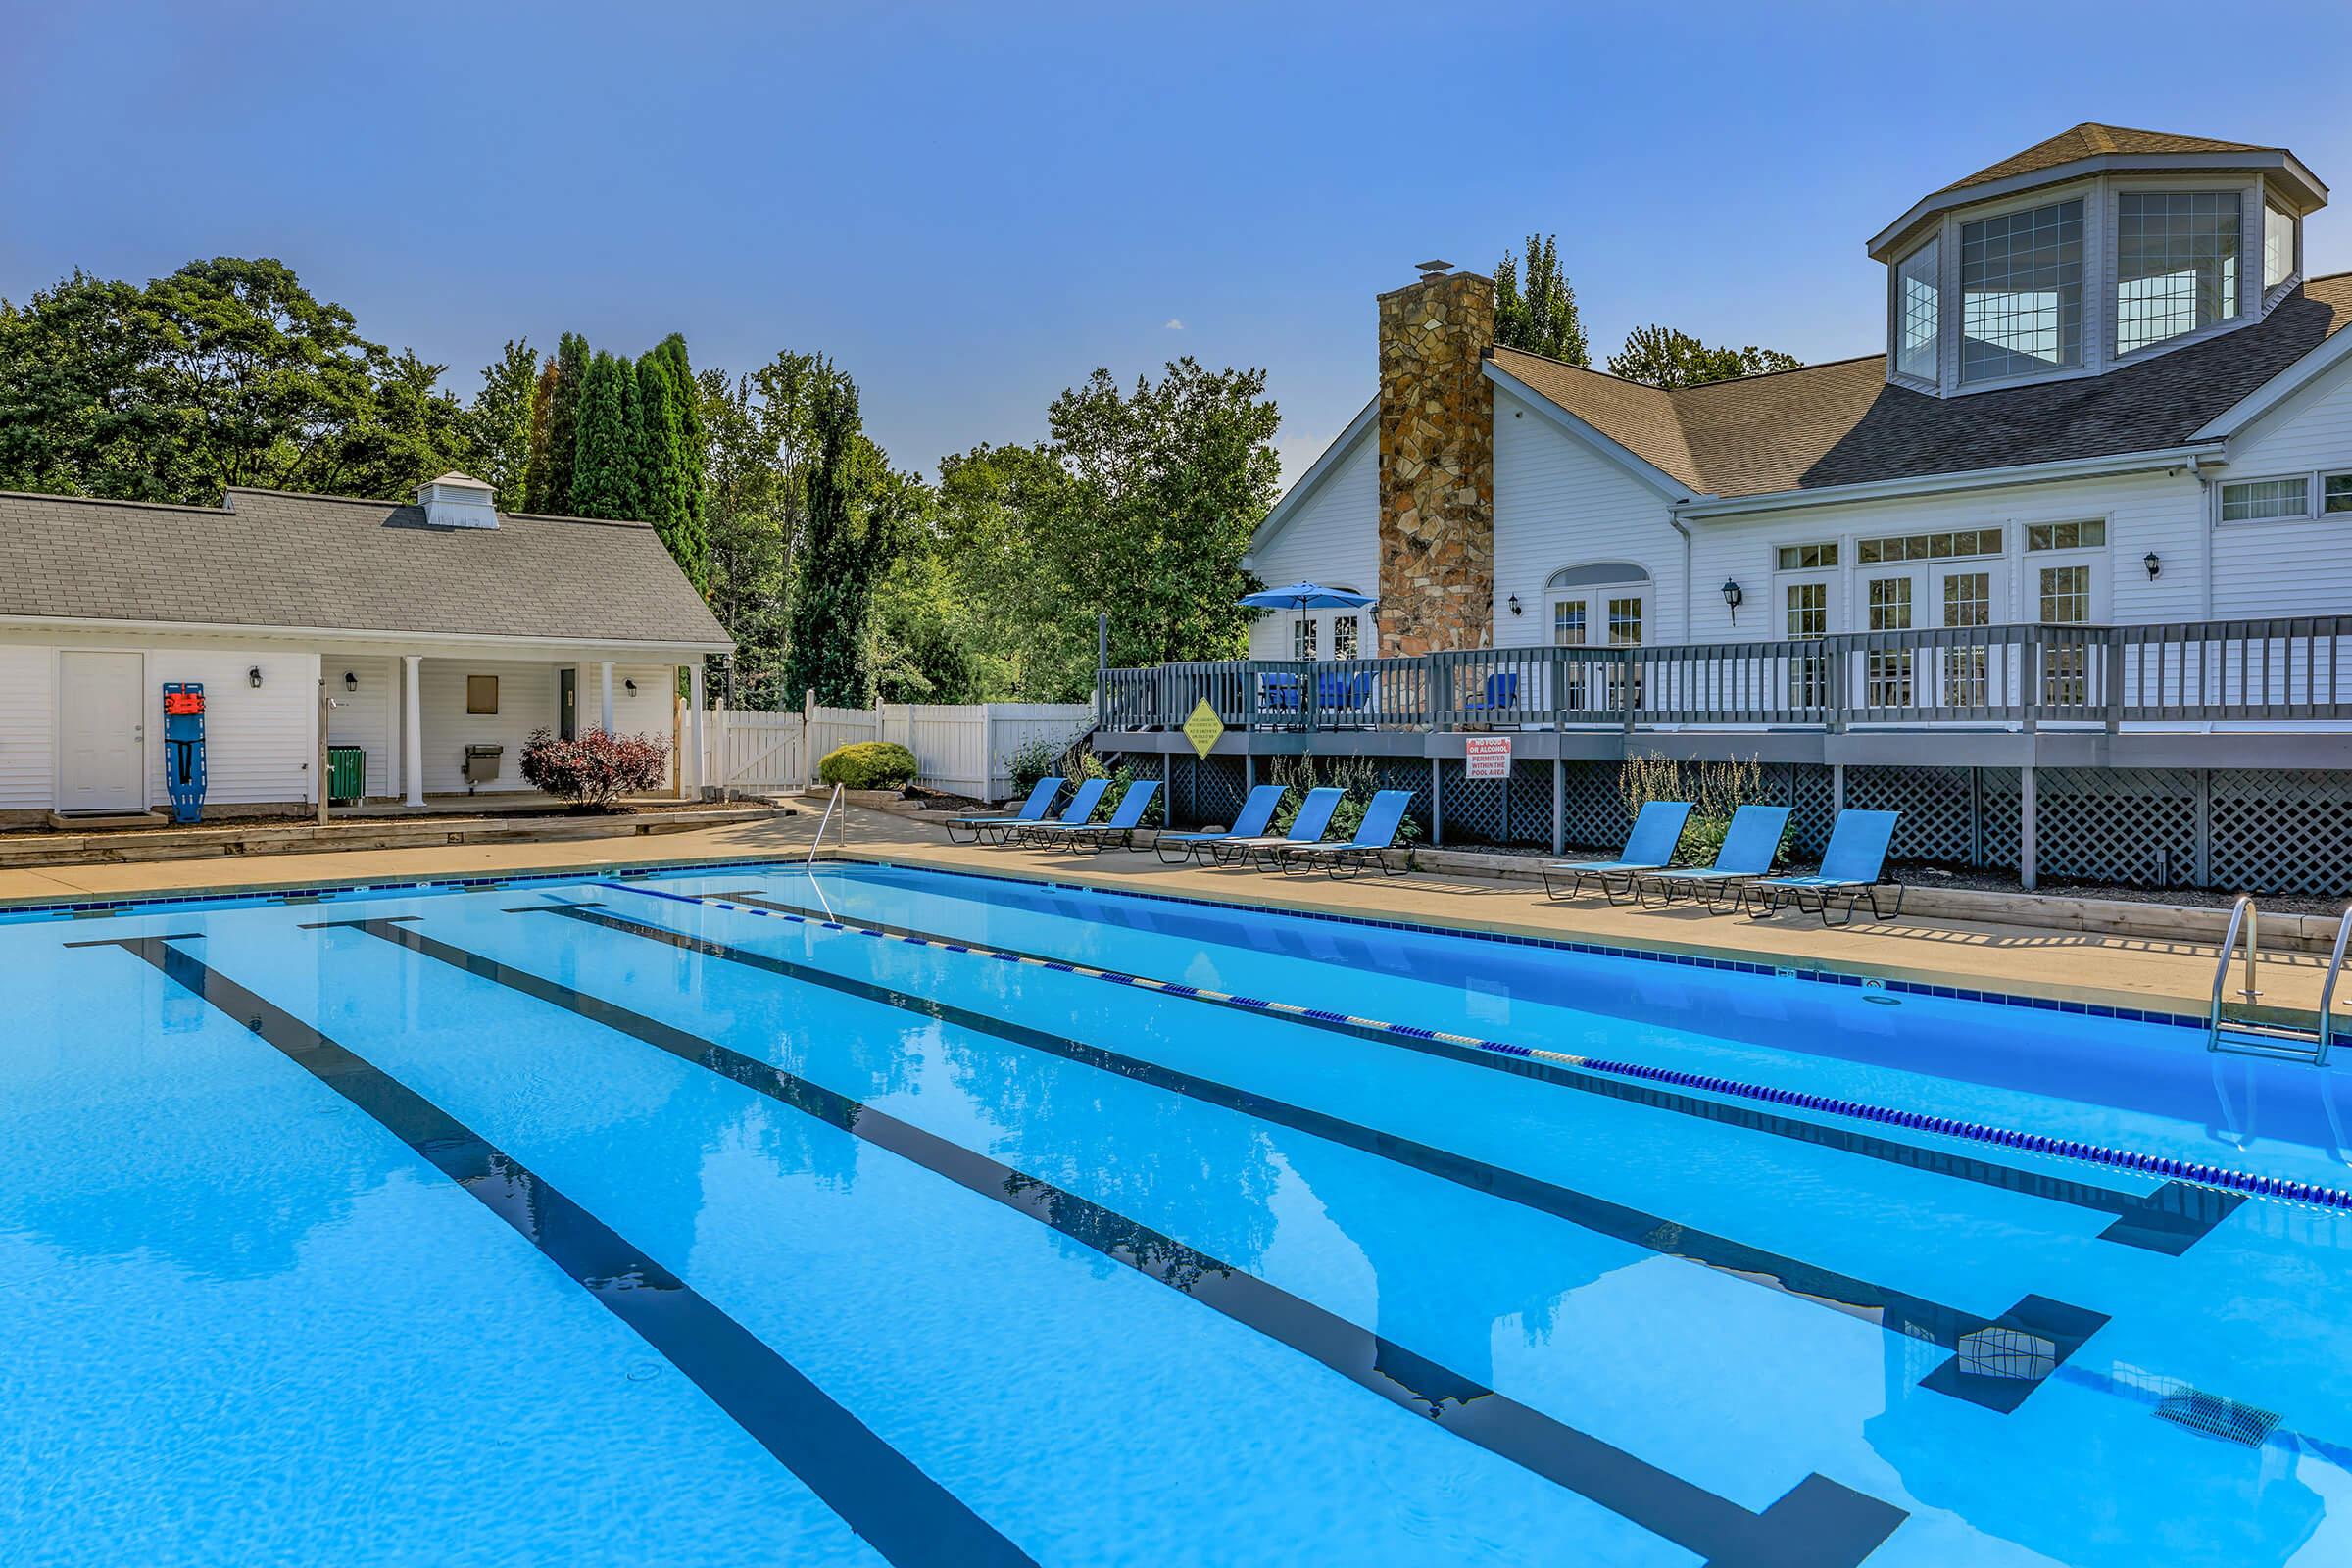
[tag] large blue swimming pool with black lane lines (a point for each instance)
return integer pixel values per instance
(878, 1214)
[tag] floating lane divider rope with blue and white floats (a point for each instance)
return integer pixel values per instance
(1793, 1099)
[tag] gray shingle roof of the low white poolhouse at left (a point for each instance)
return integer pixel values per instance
(274, 558)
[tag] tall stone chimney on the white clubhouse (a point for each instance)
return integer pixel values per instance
(1436, 464)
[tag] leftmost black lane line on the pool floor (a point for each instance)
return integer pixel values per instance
(881, 1494)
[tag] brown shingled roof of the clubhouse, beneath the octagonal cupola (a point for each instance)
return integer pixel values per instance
(1843, 424)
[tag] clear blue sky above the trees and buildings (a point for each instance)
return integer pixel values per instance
(975, 206)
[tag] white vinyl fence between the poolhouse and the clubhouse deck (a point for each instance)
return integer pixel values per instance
(963, 749)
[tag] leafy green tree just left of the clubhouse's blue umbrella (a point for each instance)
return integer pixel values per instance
(1165, 488)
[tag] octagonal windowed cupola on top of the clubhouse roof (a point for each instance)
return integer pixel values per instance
(2087, 253)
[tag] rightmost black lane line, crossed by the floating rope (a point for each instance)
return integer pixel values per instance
(2165, 1221)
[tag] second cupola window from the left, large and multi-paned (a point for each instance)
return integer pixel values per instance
(2022, 293)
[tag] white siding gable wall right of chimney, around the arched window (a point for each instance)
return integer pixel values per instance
(1563, 504)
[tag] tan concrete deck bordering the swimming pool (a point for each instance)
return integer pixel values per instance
(2109, 970)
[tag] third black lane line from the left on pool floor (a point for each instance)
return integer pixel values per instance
(2047, 1329)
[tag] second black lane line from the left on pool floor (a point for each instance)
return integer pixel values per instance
(1817, 1522)
